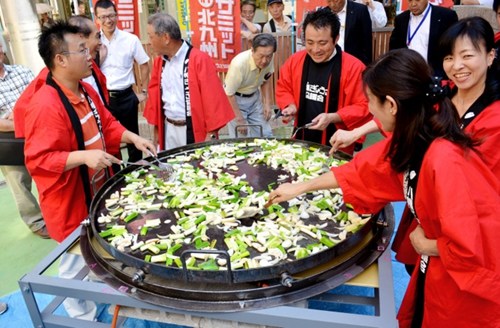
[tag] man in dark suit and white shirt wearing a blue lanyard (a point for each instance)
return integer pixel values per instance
(419, 28)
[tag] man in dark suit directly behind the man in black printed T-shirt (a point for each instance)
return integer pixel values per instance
(355, 28)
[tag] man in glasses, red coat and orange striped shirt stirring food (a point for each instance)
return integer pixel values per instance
(70, 137)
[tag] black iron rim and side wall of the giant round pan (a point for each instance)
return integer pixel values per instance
(258, 176)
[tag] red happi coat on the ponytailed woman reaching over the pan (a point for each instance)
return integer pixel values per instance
(457, 201)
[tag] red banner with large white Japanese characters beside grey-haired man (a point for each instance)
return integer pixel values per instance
(216, 29)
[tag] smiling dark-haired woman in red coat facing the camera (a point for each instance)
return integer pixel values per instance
(467, 49)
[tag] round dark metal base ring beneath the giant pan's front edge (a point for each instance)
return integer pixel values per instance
(224, 297)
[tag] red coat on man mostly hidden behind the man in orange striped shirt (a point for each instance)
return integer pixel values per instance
(25, 98)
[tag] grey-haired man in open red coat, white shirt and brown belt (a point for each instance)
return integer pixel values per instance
(186, 101)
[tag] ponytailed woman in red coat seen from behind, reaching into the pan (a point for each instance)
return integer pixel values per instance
(454, 195)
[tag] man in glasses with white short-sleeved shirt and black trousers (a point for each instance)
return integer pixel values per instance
(123, 49)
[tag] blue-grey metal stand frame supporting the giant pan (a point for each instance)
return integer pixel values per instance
(281, 316)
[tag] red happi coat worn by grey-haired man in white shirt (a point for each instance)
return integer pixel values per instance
(210, 107)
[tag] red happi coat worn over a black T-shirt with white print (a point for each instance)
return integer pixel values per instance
(352, 104)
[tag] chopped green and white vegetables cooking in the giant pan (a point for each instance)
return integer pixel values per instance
(211, 194)
